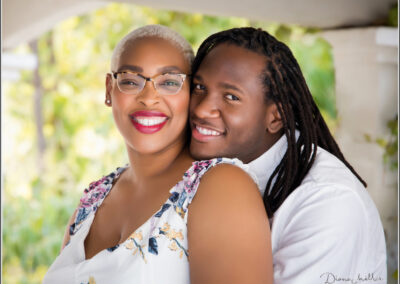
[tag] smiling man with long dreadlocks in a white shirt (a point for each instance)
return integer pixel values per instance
(250, 100)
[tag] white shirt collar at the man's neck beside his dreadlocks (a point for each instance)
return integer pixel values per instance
(264, 166)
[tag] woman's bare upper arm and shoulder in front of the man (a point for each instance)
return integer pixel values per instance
(228, 230)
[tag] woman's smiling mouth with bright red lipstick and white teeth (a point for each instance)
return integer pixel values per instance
(148, 122)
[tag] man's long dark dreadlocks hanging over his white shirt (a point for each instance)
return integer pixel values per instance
(285, 85)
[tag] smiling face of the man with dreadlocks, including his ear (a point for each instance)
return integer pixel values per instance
(229, 116)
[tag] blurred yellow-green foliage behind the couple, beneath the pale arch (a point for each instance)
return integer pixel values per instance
(81, 140)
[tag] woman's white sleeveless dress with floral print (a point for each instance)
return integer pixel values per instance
(157, 252)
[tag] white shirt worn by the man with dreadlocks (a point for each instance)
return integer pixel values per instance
(328, 229)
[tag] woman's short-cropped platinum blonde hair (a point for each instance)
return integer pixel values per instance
(158, 31)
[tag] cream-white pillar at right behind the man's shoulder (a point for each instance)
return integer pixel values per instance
(366, 74)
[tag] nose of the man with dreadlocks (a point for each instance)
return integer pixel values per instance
(204, 106)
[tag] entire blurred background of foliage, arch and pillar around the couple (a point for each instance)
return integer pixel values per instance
(58, 136)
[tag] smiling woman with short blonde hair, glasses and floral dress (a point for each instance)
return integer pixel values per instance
(134, 225)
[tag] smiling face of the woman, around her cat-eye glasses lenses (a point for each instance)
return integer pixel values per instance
(148, 121)
